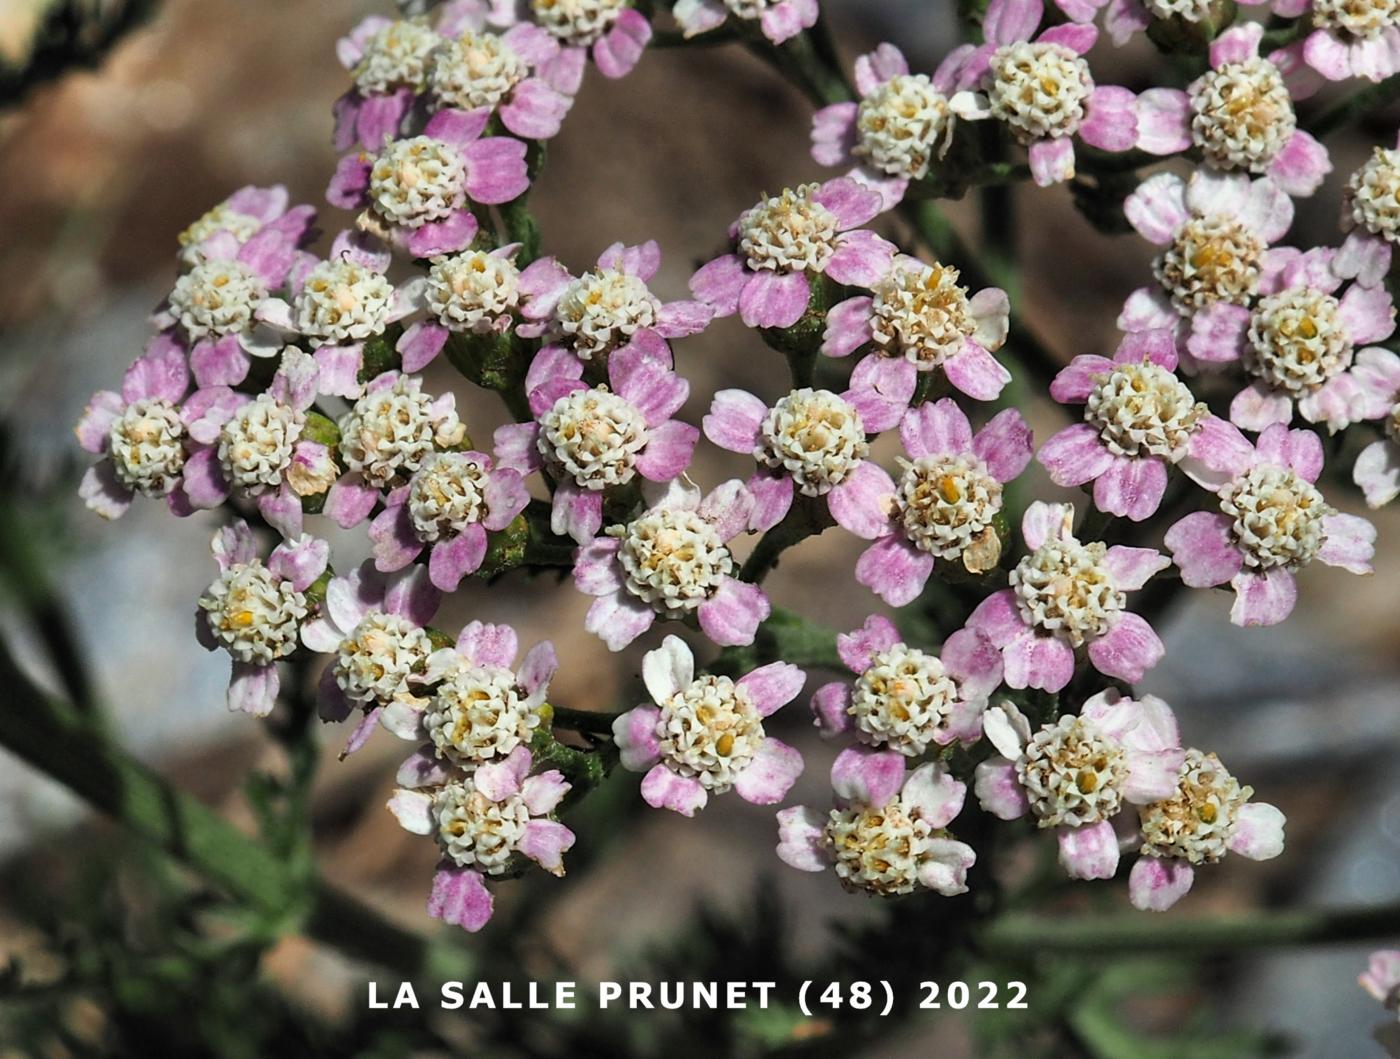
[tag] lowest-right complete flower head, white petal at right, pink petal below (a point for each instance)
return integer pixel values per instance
(1207, 816)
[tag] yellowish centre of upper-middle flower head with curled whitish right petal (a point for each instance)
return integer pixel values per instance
(922, 314)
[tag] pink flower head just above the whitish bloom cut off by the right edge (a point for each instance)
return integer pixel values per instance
(1300, 344)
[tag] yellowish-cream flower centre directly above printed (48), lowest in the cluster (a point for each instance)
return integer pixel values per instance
(878, 851)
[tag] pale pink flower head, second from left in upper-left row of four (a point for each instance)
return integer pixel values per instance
(339, 303)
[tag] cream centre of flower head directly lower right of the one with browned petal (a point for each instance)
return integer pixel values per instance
(1063, 588)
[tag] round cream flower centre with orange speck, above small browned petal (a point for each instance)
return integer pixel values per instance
(947, 504)
